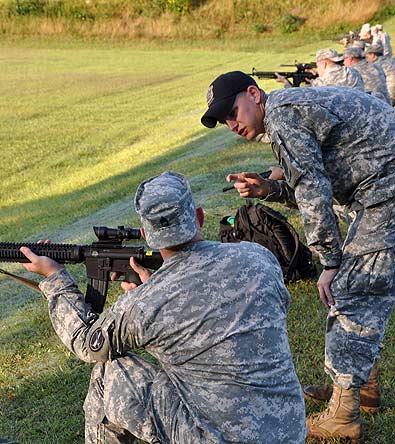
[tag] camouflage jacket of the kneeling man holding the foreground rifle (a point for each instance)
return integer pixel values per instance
(214, 315)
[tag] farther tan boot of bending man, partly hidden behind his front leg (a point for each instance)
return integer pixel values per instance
(370, 393)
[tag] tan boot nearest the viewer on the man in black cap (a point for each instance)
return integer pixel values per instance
(340, 420)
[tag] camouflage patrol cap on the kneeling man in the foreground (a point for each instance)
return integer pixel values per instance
(167, 210)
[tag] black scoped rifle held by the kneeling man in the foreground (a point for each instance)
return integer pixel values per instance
(103, 257)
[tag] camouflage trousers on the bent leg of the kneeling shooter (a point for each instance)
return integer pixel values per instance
(131, 398)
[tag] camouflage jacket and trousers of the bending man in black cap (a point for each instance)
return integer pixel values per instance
(340, 143)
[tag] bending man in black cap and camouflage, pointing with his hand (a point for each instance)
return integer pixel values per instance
(329, 149)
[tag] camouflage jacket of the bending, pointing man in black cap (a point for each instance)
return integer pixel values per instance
(333, 143)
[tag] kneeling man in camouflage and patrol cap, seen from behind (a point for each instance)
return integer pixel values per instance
(214, 316)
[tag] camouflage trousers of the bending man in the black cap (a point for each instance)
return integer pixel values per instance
(364, 294)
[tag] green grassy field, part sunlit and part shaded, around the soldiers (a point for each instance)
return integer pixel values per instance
(82, 125)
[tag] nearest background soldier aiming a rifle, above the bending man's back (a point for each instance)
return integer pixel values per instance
(331, 72)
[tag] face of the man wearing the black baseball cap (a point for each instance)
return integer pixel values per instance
(247, 114)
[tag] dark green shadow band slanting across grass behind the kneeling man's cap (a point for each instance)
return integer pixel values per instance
(31, 216)
